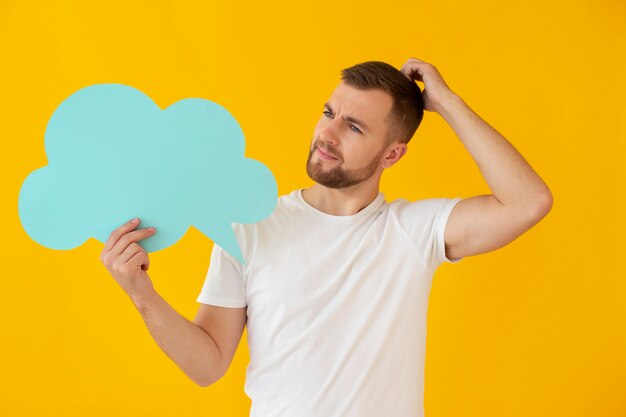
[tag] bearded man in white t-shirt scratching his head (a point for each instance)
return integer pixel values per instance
(335, 287)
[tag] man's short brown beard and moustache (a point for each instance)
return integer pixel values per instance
(338, 177)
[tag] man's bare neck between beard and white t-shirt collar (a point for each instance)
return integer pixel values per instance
(341, 201)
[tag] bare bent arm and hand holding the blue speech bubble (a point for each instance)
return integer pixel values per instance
(191, 347)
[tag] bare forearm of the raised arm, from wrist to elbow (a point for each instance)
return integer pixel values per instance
(511, 179)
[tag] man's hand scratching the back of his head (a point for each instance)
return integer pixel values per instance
(435, 88)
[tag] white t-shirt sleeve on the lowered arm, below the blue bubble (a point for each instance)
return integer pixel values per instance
(225, 284)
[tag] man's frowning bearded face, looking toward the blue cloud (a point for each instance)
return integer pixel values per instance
(350, 138)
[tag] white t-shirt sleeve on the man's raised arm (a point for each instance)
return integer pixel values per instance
(425, 222)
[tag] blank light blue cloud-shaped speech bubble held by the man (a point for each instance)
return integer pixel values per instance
(113, 154)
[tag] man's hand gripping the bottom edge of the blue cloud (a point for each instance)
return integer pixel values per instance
(126, 260)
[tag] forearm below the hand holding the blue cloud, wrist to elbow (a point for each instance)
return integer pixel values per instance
(186, 343)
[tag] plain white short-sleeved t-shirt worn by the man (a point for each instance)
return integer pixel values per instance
(336, 305)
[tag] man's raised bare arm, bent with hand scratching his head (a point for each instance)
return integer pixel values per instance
(520, 197)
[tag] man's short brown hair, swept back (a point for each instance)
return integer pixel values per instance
(407, 109)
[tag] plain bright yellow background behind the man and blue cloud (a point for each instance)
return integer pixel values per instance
(537, 328)
